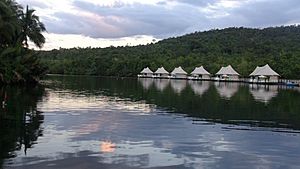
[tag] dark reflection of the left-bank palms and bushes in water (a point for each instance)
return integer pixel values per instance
(19, 120)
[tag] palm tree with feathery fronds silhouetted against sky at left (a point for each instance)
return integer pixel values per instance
(32, 29)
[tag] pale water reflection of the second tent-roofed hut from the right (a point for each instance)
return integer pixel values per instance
(226, 90)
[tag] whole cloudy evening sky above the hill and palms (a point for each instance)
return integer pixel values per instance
(103, 23)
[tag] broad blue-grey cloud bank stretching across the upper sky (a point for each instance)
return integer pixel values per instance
(161, 21)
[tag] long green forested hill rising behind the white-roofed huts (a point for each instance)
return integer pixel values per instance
(243, 48)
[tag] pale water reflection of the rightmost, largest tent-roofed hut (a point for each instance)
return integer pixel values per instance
(263, 93)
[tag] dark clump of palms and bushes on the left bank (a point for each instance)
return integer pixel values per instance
(18, 26)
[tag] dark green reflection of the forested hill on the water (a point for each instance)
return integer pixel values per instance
(283, 109)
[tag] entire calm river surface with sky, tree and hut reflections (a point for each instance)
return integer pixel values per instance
(93, 122)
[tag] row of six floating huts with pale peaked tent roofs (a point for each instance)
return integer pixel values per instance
(264, 74)
